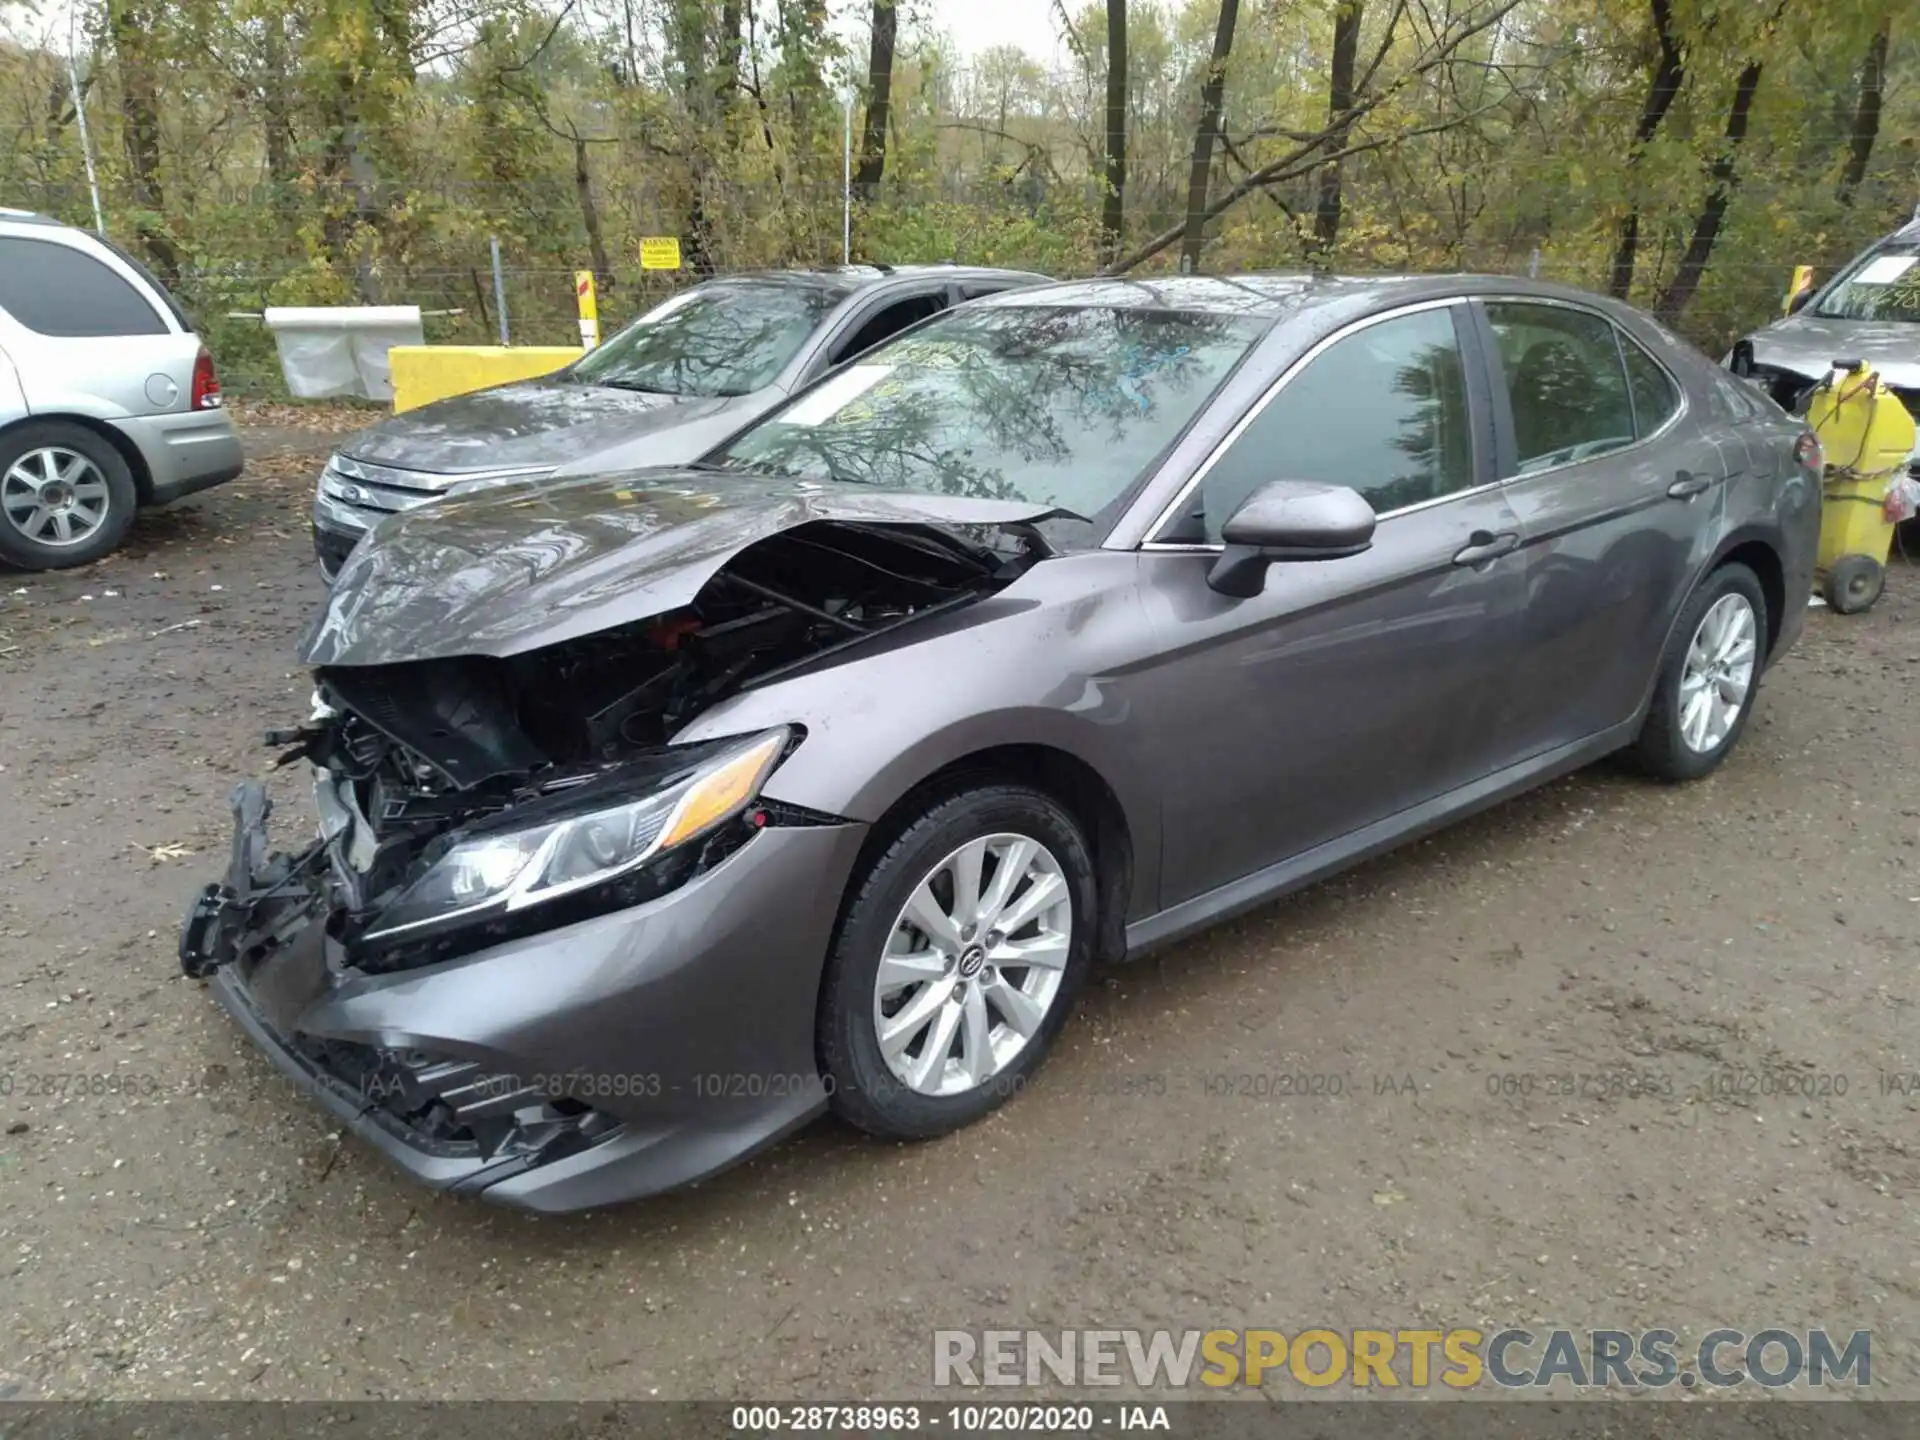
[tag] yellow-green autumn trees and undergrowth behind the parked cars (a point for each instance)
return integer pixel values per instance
(366, 151)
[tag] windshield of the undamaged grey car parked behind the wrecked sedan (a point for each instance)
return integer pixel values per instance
(721, 339)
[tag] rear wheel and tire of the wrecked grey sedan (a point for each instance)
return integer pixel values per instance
(1710, 675)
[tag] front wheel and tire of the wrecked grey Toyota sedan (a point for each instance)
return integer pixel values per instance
(957, 961)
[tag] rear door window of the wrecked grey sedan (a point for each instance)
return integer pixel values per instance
(1566, 383)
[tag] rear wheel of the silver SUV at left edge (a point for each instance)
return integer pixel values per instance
(66, 496)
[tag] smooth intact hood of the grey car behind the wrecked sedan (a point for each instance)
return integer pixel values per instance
(527, 423)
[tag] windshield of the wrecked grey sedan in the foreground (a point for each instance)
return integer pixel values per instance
(1042, 404)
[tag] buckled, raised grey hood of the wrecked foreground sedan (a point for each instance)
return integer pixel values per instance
(529, 565)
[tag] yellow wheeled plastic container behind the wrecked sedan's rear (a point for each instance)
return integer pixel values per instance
(1867, 439)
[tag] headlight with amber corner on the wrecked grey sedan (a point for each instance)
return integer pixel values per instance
(510, 871)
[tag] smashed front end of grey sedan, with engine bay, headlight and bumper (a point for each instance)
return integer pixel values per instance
(471, 804)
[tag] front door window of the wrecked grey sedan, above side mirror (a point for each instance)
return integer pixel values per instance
(1383, 412)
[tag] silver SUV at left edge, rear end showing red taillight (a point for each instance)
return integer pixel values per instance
(108, 400)
